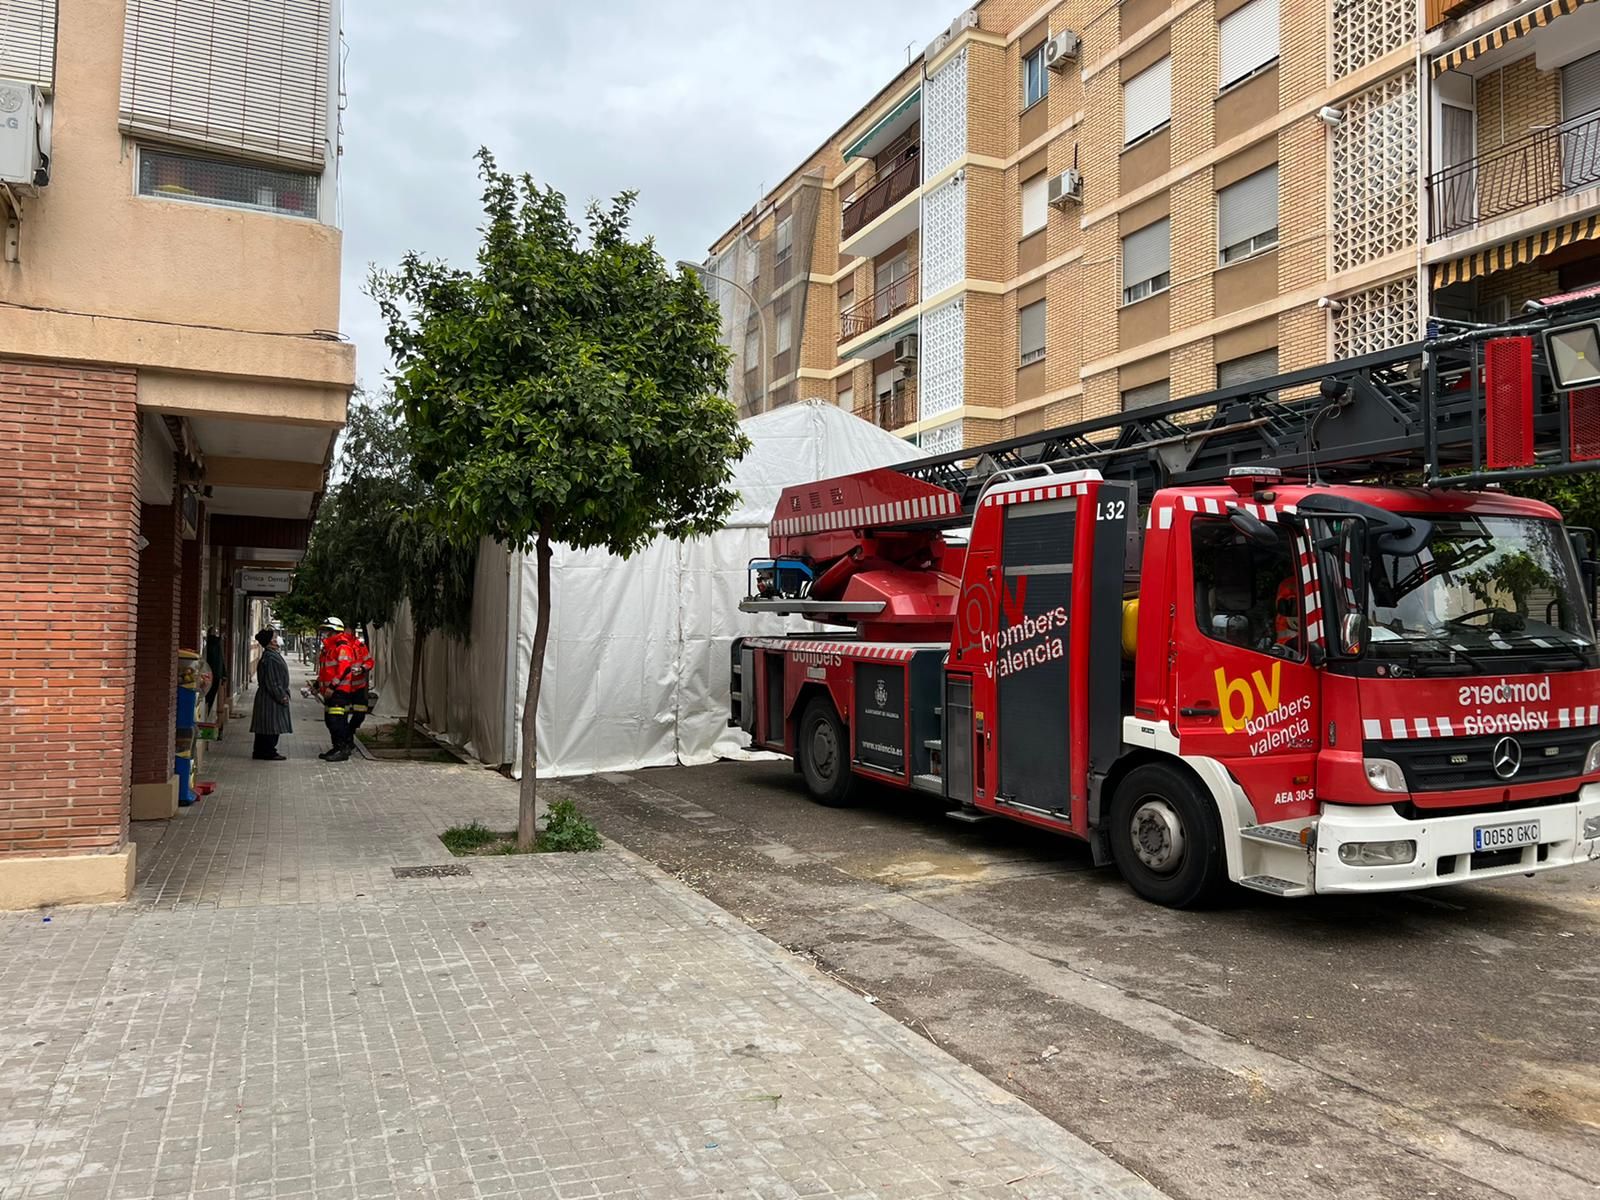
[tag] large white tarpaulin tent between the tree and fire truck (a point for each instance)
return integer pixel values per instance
(638, 665)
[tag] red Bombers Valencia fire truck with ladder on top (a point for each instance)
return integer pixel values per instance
(1290, 636)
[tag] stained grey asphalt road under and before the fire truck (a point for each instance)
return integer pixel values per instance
(1442, 1044)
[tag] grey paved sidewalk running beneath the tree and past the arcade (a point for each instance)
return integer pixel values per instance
(279, 1015)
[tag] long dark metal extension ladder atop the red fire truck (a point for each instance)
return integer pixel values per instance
(1463, 409)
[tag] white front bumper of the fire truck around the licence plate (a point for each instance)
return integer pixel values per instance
(1569, 834)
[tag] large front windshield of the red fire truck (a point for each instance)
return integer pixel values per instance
(1484, 586)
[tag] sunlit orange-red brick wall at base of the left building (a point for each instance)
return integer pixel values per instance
(68, 527)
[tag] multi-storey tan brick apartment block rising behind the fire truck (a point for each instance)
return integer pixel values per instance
(1066, 210)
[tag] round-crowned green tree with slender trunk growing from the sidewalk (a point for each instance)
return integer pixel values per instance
(569, 390)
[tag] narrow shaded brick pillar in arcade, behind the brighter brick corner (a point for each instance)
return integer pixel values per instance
(156, 670)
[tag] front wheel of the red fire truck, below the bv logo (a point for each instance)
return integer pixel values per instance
(1167, 839)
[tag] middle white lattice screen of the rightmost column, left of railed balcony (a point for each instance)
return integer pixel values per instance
(1375, 167)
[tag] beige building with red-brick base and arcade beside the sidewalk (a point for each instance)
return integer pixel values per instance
(172, 385)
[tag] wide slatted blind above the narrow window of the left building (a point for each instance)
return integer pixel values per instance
(244, 78)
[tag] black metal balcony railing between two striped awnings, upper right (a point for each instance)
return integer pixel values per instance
(1542, 167)
